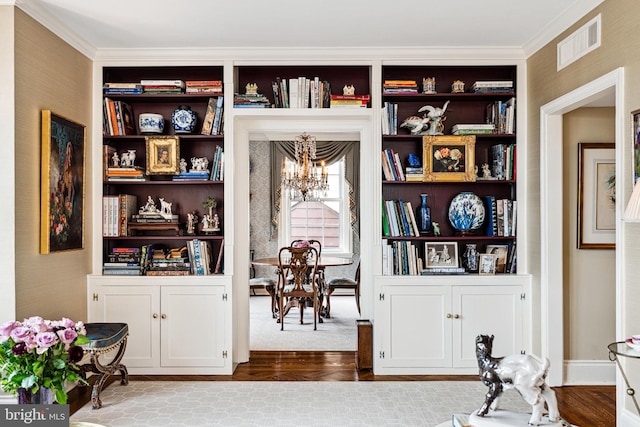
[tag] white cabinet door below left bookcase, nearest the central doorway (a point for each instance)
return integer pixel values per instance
(193, 326)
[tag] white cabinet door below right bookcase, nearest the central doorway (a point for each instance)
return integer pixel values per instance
(416, 330)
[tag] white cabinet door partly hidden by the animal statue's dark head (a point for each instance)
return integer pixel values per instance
(488, 310)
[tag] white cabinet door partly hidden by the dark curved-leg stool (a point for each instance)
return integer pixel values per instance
(139, 307)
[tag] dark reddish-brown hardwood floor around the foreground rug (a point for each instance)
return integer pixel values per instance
(585, 406)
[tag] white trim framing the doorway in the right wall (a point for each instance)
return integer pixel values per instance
(551, 211)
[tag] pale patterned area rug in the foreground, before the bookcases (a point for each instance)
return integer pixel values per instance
(265, 403)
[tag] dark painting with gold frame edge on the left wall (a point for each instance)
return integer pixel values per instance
(62, 184)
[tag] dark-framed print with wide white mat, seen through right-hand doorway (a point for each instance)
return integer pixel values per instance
(597, 196)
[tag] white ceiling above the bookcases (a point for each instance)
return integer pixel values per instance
(157, 24)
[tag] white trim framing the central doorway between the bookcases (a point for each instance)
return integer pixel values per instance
(249, 126)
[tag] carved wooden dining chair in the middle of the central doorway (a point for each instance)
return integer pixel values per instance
(298, 267)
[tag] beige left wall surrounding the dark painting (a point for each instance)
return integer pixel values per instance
(49, 75)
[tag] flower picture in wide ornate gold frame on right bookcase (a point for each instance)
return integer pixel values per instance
(449, 158)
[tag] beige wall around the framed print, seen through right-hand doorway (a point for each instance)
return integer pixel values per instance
(589, 274)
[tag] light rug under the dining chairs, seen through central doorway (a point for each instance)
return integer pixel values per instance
(336, 334)
